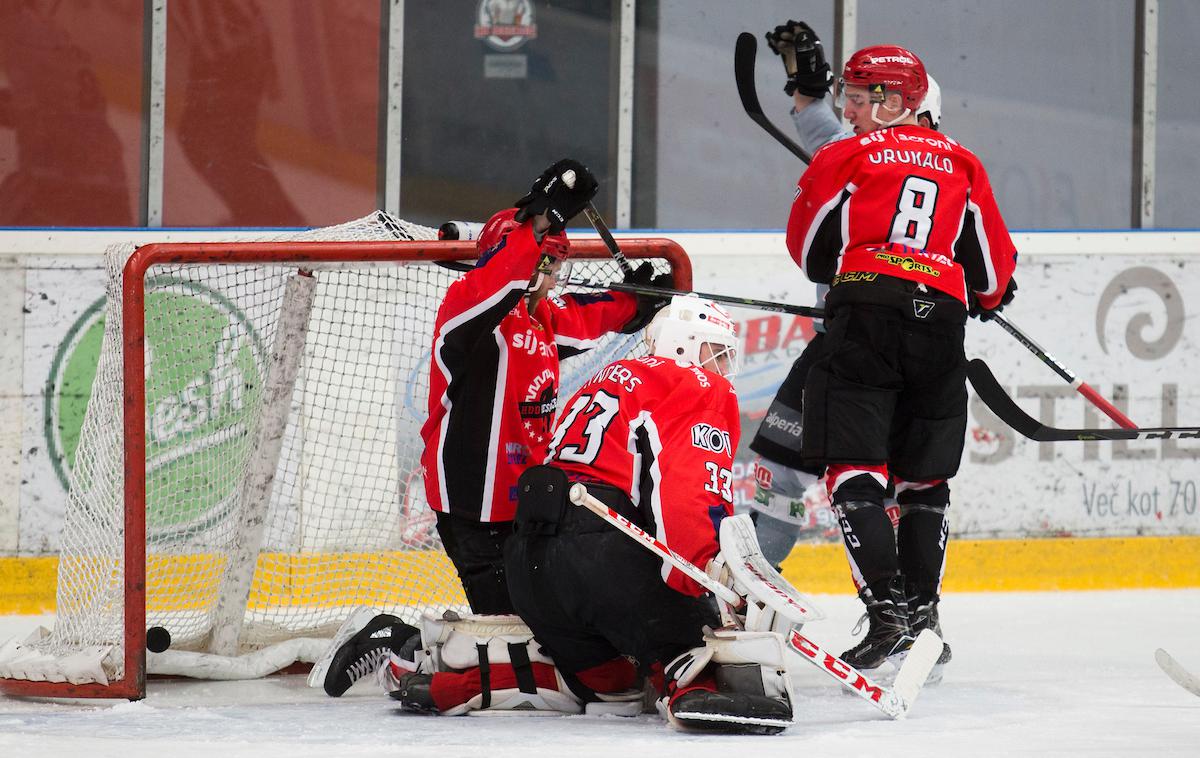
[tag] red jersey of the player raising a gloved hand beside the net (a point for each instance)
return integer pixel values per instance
(494, 377)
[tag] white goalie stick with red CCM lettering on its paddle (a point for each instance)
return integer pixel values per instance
(893, 701)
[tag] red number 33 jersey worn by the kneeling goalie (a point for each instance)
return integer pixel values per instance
(665, 435)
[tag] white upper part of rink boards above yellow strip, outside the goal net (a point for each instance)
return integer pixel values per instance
(1115, 308)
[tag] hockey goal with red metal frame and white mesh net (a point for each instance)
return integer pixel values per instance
(248, 473)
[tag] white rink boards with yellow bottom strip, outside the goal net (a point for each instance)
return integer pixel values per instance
(1115, 308)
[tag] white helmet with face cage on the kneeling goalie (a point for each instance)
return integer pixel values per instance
(695, 332)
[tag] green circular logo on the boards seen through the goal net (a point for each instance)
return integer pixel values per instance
(203, 387)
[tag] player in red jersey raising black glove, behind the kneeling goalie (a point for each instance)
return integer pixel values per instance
(495, 371)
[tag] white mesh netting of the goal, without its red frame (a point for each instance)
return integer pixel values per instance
(345, 526)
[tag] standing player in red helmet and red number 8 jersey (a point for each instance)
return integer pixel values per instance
(902, 222)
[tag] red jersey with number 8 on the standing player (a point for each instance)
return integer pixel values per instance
(907, 202)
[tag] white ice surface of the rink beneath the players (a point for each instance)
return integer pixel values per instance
(1034, 675)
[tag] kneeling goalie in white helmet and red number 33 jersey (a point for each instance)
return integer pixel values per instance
(652, 438)
